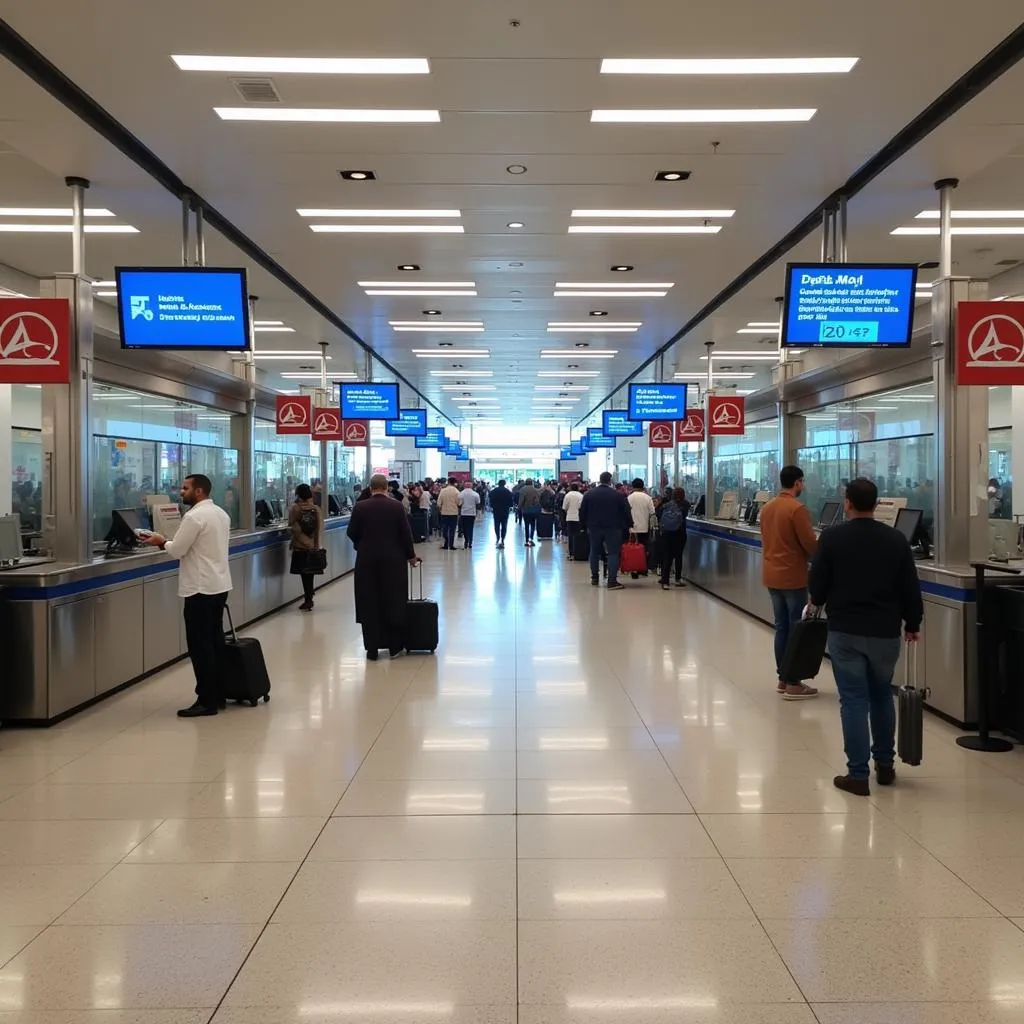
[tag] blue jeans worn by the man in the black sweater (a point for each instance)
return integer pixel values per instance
(864, 669)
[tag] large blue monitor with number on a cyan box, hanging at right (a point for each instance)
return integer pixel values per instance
(847, 306)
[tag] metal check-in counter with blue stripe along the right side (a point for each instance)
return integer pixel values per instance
(724, 559)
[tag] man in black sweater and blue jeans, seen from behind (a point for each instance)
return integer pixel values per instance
(865, 576)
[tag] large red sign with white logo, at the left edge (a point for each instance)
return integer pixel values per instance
(35, 342)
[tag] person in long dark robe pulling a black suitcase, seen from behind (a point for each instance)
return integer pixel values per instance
(380, 533)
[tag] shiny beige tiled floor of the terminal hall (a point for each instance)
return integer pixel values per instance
(587, 808)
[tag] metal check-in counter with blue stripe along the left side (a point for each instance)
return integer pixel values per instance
(71, 634)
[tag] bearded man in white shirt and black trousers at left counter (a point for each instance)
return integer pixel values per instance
(201, 546)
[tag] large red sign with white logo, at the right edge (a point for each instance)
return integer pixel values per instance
(990, 344)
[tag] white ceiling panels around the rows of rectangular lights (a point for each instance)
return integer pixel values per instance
(510, 96)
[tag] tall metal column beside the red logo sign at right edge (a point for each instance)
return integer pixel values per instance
(962, 416)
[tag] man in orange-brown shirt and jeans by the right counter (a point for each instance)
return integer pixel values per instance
(788, 542)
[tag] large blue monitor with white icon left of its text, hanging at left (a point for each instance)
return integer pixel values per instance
(190, 308)
